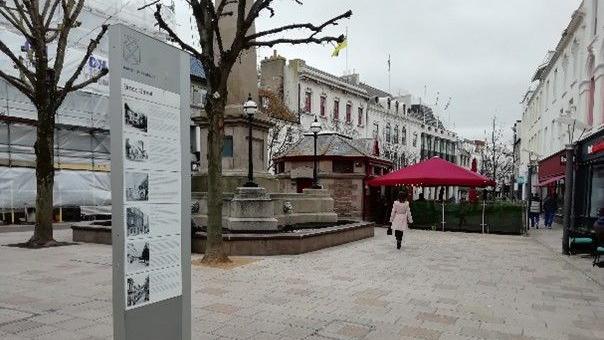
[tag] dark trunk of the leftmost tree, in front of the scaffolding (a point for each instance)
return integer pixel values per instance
(44, 149)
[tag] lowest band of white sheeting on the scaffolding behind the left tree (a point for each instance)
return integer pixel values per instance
(72, 188)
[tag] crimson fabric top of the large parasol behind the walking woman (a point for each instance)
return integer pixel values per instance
(433, 172)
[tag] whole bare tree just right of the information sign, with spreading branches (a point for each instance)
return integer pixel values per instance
(218, 61)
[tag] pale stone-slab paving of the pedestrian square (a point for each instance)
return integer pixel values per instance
(439, 286)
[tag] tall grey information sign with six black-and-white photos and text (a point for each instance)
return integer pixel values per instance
(150, 181)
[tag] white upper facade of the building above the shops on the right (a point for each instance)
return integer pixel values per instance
(565, 102)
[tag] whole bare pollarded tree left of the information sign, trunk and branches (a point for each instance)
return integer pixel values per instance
(45, 24)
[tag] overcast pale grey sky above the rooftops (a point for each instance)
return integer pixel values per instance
(482, 53)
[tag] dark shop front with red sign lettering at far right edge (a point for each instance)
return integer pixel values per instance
(589, 179)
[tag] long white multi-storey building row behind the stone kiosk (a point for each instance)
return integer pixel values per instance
(399, 128)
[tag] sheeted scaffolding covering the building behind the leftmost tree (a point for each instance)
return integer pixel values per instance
(82, 141)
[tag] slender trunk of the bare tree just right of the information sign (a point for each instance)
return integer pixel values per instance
(214, 246)
